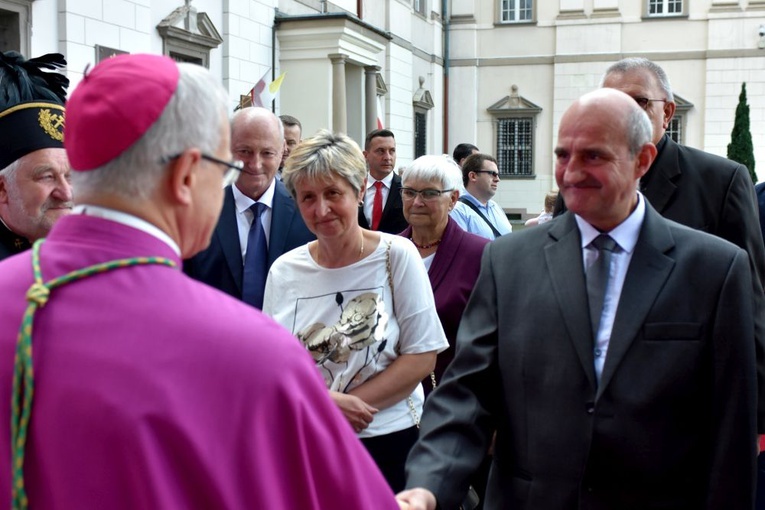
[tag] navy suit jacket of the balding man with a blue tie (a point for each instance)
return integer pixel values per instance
(221, 265)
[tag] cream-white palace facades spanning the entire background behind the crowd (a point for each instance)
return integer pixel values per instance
(495, 73)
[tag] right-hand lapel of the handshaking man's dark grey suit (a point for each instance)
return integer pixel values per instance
(647, 273)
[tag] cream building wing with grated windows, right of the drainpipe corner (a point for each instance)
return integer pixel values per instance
(515, 65)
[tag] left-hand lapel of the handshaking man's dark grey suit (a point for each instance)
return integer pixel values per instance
(570, 289)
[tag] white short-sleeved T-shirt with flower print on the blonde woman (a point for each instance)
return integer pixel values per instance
(345, 319)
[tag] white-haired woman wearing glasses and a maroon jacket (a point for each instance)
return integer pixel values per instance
(430, 190)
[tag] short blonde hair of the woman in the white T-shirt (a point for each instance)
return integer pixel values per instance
(322, 155)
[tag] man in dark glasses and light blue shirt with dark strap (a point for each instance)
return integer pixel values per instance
(475, 211)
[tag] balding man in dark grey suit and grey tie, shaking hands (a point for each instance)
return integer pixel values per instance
(646, 401)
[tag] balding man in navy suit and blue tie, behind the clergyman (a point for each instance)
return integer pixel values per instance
(257, 137)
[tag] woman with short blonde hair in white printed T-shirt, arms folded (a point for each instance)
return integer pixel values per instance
(358, 300)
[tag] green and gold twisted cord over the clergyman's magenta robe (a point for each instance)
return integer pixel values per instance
(23, 370)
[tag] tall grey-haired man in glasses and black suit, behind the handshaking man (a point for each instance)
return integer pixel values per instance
(700, 190)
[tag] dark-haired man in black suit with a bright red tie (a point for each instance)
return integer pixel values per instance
(382, 208)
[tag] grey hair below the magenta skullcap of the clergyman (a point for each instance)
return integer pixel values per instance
(193, 117)
